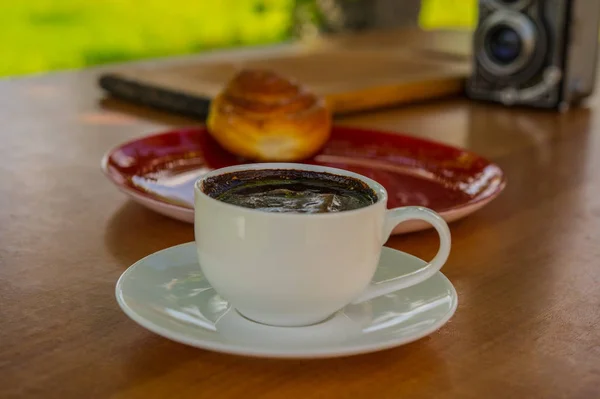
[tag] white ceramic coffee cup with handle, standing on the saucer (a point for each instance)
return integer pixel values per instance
(295, 269)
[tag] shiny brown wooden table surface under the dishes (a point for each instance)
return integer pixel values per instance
(526, 267)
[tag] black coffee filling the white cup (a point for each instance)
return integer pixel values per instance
(290, 191)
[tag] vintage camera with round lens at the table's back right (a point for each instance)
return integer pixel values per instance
(539, 53)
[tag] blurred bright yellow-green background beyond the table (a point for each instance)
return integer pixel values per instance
(48, 35)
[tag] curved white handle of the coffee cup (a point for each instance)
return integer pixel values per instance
(394, 217)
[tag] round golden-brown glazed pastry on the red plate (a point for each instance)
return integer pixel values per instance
(262, 116)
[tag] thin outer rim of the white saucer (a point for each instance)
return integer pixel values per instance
(244, 350)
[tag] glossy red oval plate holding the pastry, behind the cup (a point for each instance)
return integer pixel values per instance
(159, 171)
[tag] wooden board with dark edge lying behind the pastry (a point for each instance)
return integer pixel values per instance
(353, 72)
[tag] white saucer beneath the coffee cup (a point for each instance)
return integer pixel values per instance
(167, 294)
